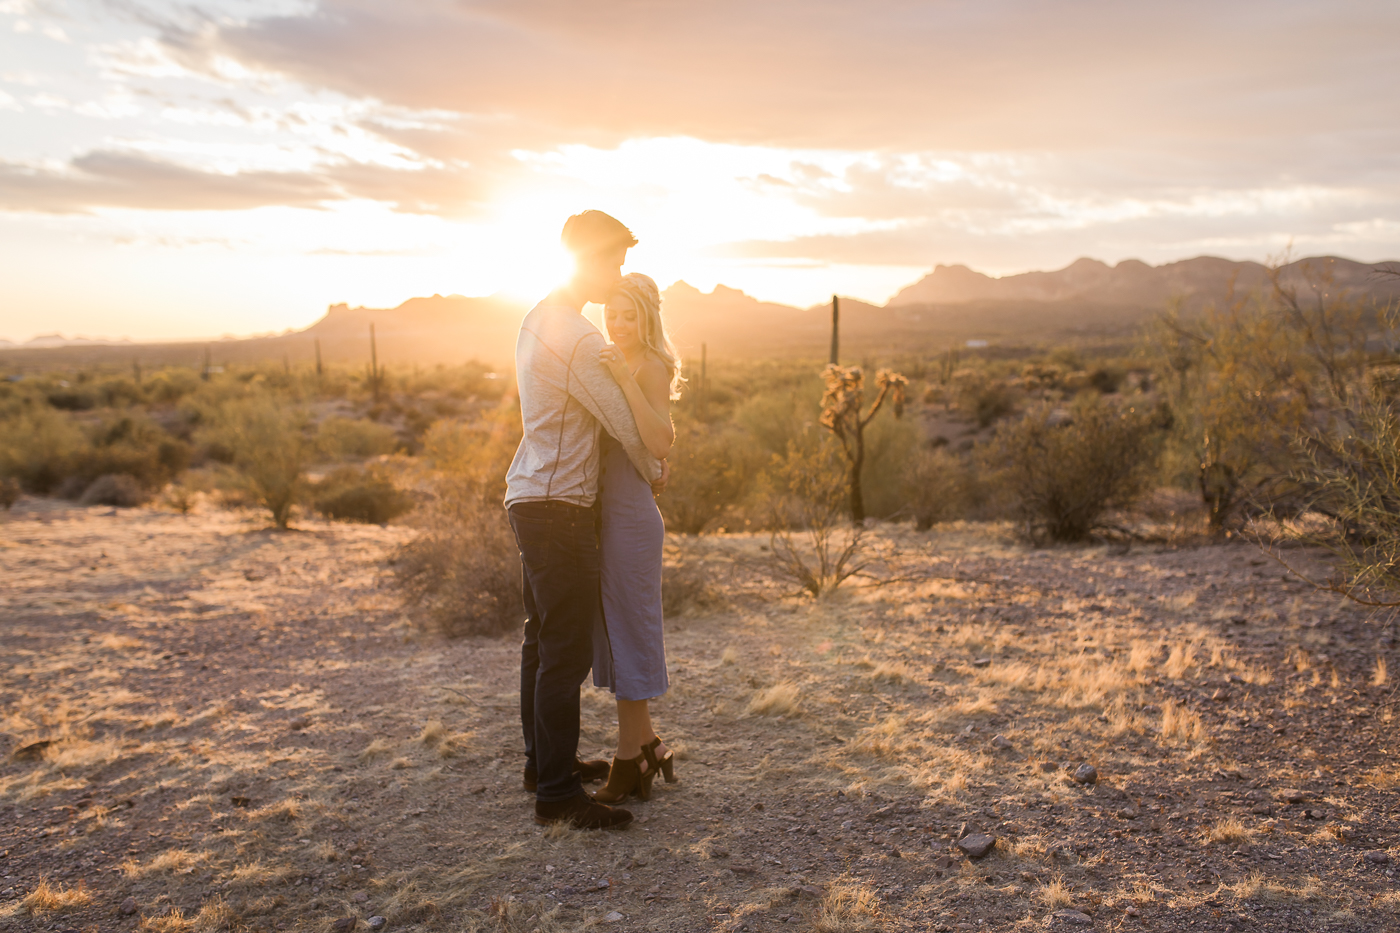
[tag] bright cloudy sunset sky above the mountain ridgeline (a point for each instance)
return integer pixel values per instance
(185, 170)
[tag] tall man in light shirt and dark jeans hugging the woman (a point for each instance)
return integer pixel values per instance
(552, 492)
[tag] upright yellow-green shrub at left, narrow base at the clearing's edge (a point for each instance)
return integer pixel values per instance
(269, 449)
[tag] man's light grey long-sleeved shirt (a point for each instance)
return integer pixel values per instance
(566, 399)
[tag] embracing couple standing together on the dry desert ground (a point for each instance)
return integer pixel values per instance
(580, 495)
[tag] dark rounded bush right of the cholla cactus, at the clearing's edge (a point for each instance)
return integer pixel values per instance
(1065, 477)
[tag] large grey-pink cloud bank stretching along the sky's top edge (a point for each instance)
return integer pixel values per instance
(888, 75)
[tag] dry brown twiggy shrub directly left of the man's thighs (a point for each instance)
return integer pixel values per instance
(463, 572)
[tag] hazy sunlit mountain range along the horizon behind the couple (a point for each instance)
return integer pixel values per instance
(953, 305)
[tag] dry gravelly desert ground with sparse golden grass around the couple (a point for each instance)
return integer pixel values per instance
(213, 726)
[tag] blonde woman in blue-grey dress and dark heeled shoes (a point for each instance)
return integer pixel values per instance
(629, 651)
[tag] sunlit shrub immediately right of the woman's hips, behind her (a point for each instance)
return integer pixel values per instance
(712, 469)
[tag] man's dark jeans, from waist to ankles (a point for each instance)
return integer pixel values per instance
(563, 603)
